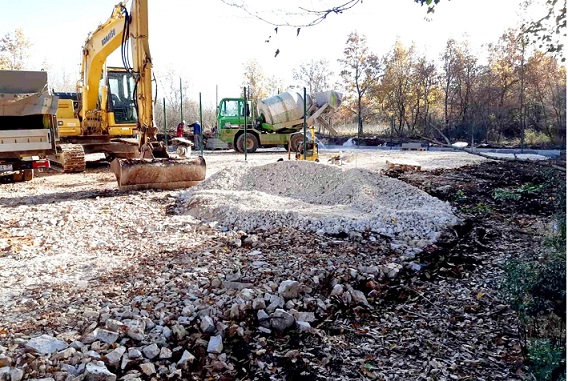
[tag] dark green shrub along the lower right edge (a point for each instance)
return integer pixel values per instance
(536, 288)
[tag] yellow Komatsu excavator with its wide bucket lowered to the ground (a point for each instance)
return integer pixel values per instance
(112, 111)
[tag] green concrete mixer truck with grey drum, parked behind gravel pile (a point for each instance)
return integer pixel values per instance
(277, 121)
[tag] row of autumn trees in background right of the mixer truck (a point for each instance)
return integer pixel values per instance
(519, 92)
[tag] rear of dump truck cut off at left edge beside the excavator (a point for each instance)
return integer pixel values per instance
(27, 123)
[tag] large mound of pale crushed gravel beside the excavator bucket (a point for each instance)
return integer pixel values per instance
(317, 197)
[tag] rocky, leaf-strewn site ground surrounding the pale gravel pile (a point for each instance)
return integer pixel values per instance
(124, 288)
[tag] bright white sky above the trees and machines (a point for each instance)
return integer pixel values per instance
(207, 43)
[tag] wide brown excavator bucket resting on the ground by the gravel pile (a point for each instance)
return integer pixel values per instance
(163, 173)
